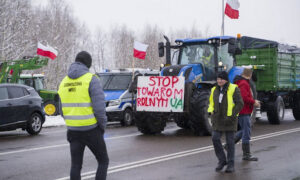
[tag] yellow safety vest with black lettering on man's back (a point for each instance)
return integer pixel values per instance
(76, 101)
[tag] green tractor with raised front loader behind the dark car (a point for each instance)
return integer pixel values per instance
(10, 72)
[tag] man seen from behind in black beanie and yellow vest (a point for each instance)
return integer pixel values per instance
(83, 108)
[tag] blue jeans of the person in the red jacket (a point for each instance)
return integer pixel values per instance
(245, 132)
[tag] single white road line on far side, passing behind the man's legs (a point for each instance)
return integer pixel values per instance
(67, 144)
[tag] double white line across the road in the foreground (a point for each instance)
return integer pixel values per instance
(154, 160)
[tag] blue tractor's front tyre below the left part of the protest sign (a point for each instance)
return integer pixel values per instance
(149, 123)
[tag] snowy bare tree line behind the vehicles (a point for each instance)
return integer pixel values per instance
(23, 25)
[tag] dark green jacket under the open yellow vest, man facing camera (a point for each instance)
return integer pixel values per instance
(219, 118)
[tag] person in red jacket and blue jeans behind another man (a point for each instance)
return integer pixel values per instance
(244, 133)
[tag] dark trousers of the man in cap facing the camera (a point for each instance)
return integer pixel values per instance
(219, 150)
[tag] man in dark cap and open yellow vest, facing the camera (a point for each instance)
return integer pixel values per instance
(225, 103)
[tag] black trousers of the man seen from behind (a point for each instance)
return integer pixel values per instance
(94, 140)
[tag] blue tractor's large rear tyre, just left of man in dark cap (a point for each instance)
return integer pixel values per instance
(200, 122)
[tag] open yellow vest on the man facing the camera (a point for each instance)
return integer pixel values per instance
(230, 91)
